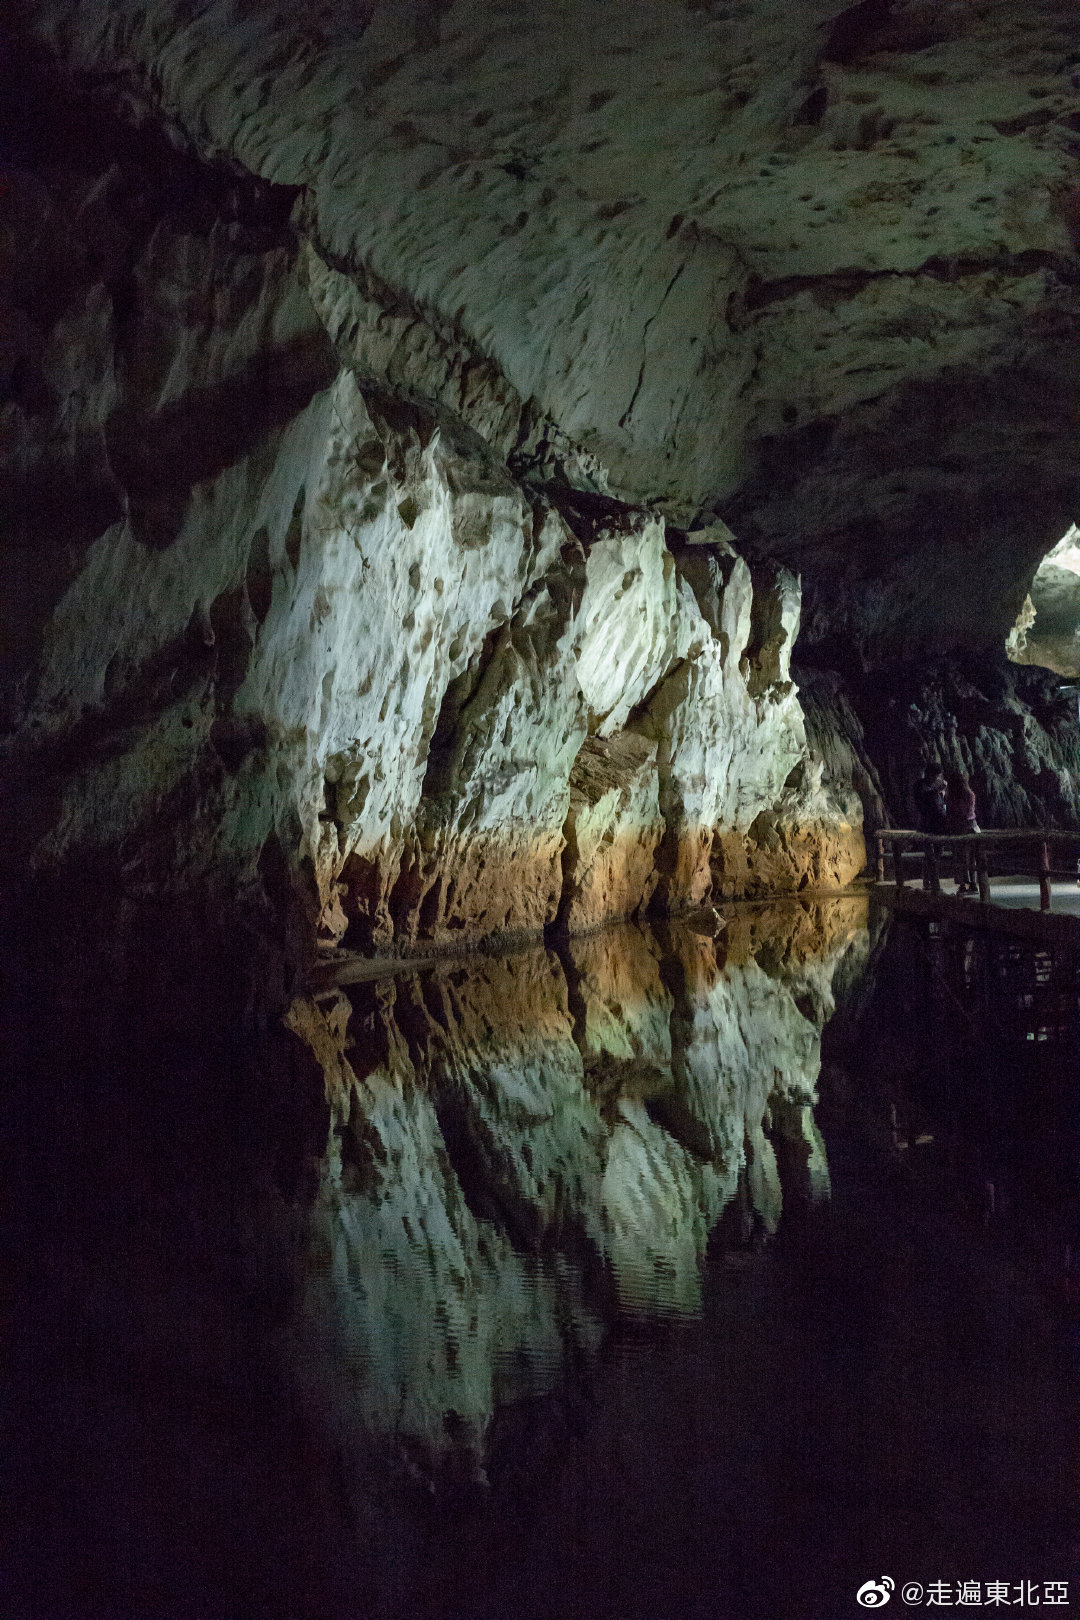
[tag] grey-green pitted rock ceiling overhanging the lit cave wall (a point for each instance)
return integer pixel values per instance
(804, 268)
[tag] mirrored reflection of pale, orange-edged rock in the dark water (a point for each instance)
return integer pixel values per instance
(525, 1148)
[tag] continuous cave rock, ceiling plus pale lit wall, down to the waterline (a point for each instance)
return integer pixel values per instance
(375, 437)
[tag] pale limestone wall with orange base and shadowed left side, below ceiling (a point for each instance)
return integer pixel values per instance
(291, 626)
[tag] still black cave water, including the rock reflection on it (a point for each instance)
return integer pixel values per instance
(657, 1276)
